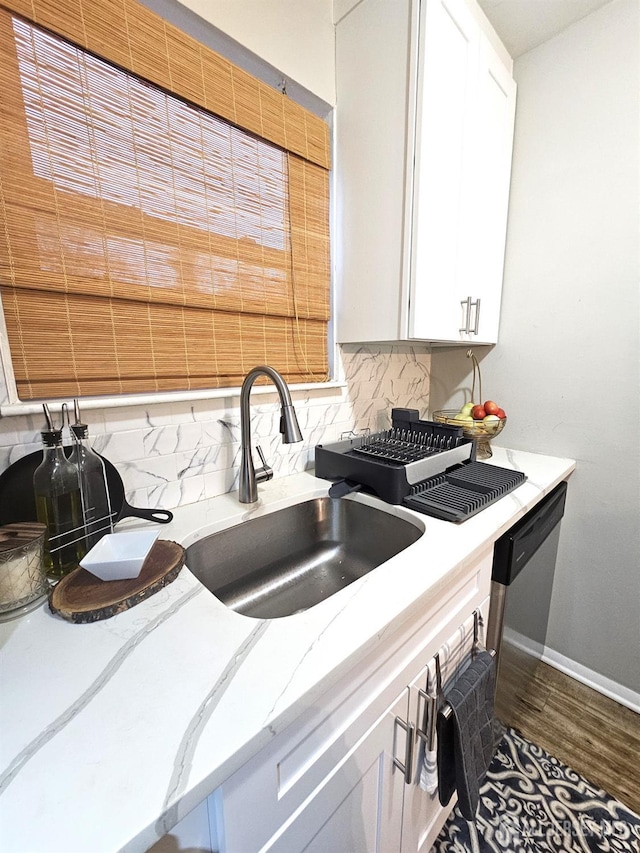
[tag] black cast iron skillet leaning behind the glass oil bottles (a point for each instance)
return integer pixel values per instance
(17, 501)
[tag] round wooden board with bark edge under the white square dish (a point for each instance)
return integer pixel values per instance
(82, 597)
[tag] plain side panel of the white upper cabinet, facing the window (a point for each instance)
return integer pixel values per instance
(373, 117)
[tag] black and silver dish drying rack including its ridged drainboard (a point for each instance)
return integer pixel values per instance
(427, 466)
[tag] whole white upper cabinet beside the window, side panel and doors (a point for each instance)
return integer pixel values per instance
(424, 133)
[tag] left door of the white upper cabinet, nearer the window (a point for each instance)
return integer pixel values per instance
(447, 87)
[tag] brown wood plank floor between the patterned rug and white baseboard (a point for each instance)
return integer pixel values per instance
(594, 735)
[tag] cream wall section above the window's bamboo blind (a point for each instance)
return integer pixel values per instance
(295, 36)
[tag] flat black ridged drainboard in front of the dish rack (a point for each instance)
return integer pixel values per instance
(462, 491)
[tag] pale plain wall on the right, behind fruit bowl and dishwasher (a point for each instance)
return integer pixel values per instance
(566, 369)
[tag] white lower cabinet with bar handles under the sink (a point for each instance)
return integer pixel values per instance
(345, 775)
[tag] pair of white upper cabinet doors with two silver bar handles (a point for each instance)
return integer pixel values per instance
(464, 135)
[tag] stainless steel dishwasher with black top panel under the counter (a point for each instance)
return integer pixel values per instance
(524, 561)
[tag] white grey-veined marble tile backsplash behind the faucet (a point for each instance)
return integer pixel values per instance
(177, 453)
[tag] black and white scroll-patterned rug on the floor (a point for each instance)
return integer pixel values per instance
(532, 802)
